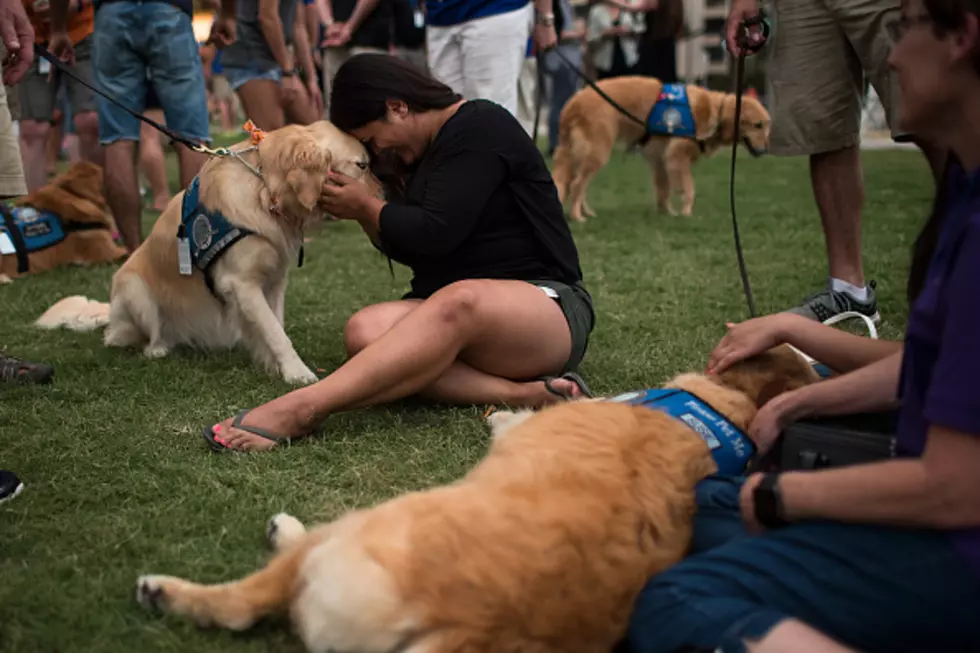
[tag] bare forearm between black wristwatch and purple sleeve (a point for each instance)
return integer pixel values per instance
(939, 490)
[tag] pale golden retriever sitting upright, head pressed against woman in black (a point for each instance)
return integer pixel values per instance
(270, 191)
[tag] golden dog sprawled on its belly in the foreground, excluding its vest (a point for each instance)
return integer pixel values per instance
(541, 548)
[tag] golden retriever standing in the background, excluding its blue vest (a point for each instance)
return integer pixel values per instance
(590, 127)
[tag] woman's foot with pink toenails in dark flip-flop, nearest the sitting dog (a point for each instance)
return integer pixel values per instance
(278, 418)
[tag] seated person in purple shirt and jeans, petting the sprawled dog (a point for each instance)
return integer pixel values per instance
(882, 556)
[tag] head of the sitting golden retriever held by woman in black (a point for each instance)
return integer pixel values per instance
(297, 159)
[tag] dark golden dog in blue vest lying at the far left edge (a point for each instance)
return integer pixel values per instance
(65, 222)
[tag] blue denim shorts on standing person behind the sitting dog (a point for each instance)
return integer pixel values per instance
(138, 39)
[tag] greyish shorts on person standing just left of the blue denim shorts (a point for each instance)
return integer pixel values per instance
(37, 92)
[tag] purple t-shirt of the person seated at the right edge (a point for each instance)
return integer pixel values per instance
(942, 354)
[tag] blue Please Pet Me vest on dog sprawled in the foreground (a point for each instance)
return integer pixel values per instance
(730, 447)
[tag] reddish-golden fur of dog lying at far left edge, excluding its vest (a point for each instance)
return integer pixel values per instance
(75, 196)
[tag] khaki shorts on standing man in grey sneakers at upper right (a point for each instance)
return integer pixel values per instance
(819, 54)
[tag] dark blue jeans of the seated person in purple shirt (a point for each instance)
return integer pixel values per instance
(868, 587)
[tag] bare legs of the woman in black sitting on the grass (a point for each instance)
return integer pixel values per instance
(505, 329)
